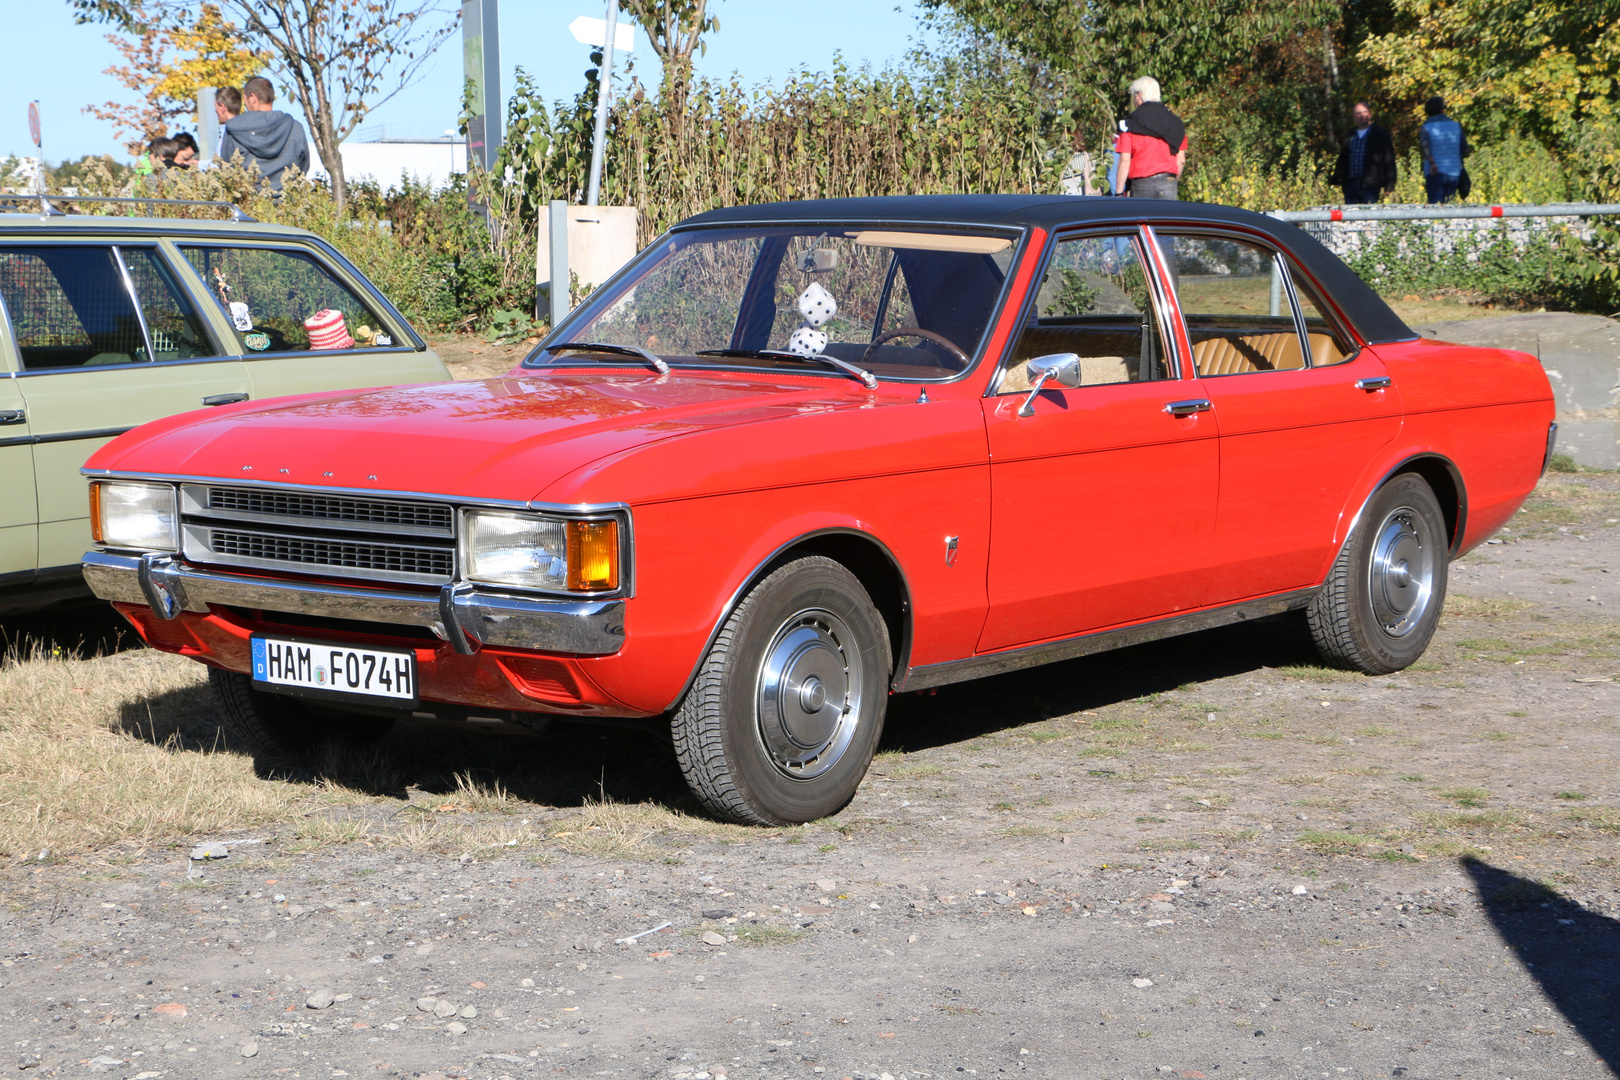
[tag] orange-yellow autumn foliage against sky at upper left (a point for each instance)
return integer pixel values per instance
(166, 64)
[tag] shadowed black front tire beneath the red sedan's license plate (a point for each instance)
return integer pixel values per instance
(281, 731)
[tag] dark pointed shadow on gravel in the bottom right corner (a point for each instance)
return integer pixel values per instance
(1574, 953)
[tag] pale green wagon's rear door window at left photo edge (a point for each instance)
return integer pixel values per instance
(72, 307)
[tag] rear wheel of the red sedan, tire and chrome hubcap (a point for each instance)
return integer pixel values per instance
(1381, 603)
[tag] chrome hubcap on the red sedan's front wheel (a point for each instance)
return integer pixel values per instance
(809, 694)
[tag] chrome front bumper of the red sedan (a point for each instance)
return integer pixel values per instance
(461, 614)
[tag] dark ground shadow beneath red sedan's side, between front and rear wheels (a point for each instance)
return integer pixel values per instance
(965, 712)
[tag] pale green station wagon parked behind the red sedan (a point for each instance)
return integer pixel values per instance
(109, 323)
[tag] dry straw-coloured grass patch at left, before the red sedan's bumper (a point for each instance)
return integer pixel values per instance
(95, 752)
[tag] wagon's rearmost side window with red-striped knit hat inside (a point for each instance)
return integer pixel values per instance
(283, 300)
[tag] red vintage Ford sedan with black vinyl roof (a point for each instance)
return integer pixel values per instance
(796, 459)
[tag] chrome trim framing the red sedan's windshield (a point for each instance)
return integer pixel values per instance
(1018, 234)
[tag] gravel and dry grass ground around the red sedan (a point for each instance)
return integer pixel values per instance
(1204, 857)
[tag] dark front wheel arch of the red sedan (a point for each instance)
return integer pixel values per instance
(863, 555)
